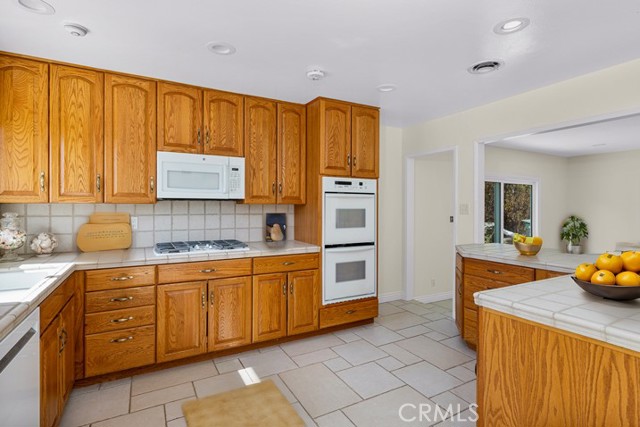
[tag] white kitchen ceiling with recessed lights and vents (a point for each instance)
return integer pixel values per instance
(422, 46)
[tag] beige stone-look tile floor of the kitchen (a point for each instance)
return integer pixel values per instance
(411, 355)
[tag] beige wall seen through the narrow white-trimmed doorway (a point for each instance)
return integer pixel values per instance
(433, 233)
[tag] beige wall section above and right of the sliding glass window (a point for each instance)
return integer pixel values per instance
(552, 175)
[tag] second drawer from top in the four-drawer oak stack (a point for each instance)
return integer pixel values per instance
(119, 298)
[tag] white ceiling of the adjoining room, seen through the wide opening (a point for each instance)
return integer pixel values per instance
(606, 136)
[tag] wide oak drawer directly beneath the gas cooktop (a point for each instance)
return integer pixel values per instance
(192, 271)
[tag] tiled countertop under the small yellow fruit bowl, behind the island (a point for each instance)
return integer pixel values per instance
(548, 259)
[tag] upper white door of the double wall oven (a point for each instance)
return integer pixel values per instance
(349, 218)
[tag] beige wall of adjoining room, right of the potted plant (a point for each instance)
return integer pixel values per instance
(604, 190)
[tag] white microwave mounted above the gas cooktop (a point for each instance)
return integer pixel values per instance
(199, 176)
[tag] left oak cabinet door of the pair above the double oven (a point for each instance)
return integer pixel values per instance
(335, 138)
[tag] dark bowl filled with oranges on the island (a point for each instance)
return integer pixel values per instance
(612, 276)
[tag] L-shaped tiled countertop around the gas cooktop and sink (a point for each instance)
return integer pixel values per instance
(63, 264)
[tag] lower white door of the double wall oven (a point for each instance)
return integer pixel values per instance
(349, 273)
